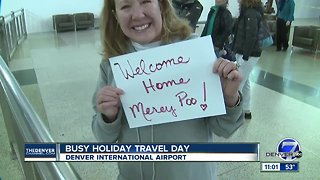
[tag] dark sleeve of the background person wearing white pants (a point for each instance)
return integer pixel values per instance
(251, 34)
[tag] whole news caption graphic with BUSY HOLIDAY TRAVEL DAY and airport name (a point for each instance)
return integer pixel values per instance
(220, 152)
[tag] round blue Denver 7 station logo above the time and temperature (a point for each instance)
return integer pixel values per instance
(288, 150)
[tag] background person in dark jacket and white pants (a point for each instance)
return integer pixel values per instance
(246, 45)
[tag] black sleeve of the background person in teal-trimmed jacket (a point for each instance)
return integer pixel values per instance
(226, 23)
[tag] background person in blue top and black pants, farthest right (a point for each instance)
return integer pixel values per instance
(285, 16)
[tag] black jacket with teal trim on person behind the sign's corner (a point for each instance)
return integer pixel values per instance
(222, 26)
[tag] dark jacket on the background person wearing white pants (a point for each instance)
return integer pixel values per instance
(246, 32)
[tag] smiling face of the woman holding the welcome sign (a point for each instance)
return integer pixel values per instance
(140, 20)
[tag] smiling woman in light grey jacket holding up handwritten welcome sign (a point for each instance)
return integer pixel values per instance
(140, 25)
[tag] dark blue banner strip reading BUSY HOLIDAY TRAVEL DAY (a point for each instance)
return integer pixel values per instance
(159, 148)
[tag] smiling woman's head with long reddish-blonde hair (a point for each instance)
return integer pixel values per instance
(169, 27)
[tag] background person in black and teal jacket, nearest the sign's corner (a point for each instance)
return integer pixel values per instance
(219, 25)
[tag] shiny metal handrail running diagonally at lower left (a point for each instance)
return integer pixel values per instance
(19, 115)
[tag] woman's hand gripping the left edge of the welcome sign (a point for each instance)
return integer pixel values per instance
(108, 102)
